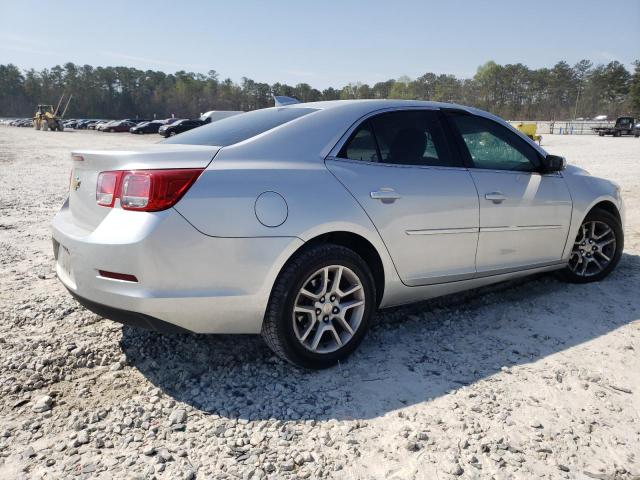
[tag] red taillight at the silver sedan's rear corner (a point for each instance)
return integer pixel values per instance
(146, 190)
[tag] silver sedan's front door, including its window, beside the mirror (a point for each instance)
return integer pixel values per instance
(524, 215)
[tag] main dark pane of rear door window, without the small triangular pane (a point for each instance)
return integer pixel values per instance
(412, 138)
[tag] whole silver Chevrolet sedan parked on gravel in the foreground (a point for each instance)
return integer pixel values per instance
(298, 222)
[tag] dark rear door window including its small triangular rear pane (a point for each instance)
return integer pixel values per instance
(412, 137)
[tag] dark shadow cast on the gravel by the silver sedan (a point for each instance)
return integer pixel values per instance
(411, 355)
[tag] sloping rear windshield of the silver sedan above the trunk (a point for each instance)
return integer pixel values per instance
(239, 127)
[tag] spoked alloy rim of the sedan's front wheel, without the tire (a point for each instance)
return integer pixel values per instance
(593, 250)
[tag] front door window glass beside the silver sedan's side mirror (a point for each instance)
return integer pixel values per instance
(493, 146)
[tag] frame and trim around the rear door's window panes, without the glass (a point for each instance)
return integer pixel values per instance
(448, 137)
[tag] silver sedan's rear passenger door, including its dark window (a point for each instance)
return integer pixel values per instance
(399, 167)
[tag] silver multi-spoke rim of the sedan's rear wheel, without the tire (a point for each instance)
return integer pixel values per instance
(328, 309)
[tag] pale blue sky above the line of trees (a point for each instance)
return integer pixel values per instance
(323, 43)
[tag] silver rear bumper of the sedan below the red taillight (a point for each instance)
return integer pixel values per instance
(186, 279)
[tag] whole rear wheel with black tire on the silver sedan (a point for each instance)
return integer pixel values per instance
(320, 330)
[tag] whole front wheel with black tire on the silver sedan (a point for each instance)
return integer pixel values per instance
(586, 265)
